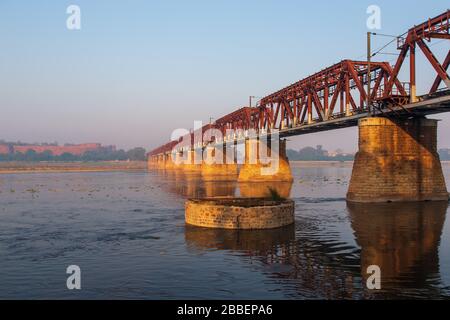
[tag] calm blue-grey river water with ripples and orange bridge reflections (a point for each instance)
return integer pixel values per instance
(126, 231)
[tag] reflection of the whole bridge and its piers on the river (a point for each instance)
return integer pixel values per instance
(403, 239)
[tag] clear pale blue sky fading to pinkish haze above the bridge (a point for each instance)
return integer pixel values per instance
(137, 70)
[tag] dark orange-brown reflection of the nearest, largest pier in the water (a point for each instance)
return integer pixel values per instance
(403, 240)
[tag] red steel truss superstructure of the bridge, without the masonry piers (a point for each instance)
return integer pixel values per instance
(340, 95)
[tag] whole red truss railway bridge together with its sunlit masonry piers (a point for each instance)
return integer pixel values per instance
(397, 158)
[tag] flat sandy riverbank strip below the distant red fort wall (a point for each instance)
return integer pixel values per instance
(50, 167)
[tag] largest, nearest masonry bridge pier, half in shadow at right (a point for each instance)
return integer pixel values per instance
(397, 161)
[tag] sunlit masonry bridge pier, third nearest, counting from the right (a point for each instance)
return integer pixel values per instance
(219, 164)
